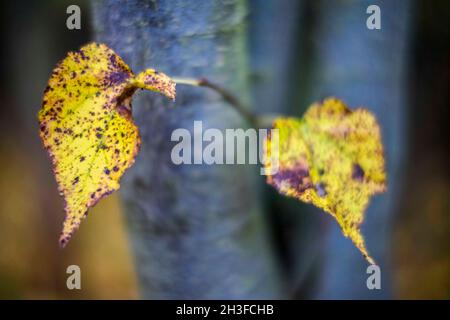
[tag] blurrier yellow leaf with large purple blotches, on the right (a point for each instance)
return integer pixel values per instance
(332, 158)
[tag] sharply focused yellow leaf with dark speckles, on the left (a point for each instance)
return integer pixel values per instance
(86, 126)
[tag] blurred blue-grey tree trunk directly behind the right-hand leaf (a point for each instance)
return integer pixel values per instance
(364, 68)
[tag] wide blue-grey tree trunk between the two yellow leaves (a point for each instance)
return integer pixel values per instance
(197, 231)
